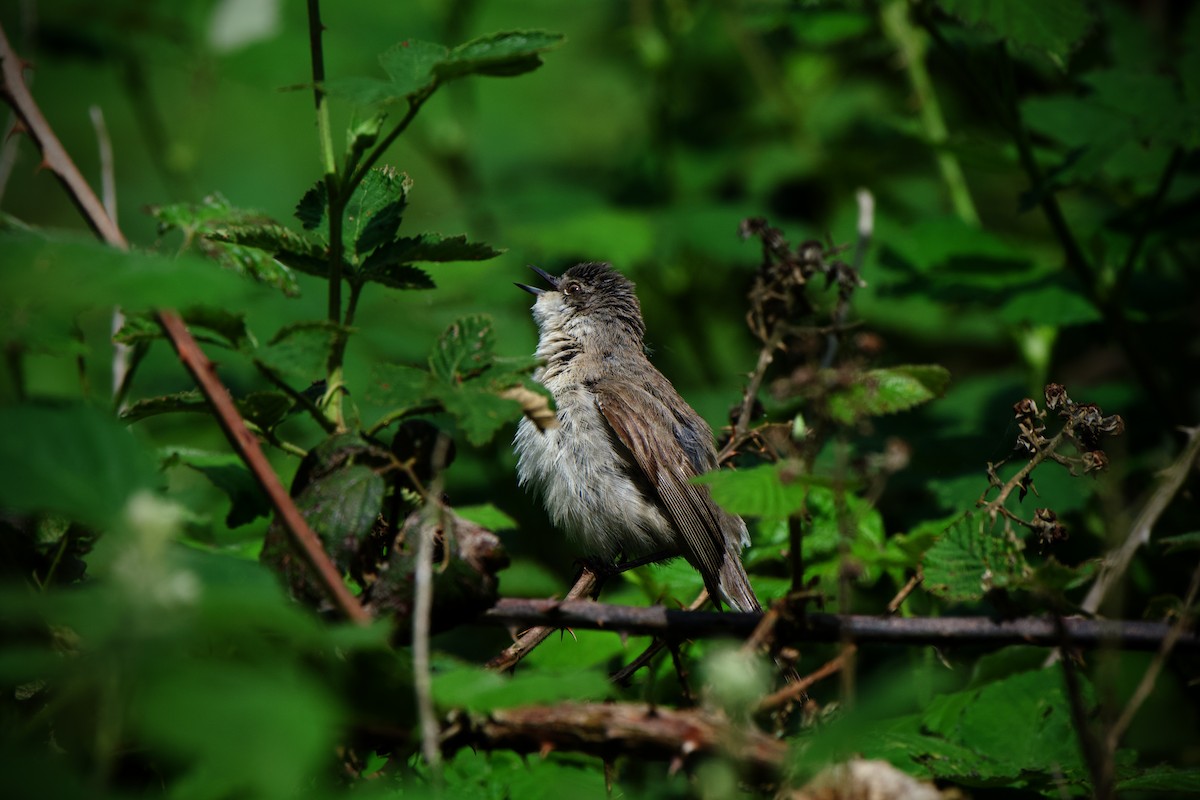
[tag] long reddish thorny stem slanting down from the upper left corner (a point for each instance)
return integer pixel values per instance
(57, 160)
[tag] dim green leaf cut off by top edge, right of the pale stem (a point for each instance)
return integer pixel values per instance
(1053, 28)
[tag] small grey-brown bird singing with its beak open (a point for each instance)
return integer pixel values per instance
(615, 473)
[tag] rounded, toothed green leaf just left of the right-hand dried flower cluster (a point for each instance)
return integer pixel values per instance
(970, 560)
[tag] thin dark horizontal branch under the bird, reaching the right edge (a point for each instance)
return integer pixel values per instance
(941, 631)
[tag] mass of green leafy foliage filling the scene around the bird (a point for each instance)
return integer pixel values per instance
(1036, 188)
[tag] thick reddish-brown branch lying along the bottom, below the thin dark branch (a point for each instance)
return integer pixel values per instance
(610, 731)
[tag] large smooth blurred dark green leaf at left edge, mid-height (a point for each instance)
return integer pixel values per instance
(74, 461)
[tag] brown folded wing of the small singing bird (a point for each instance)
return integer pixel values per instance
(668, 465)
